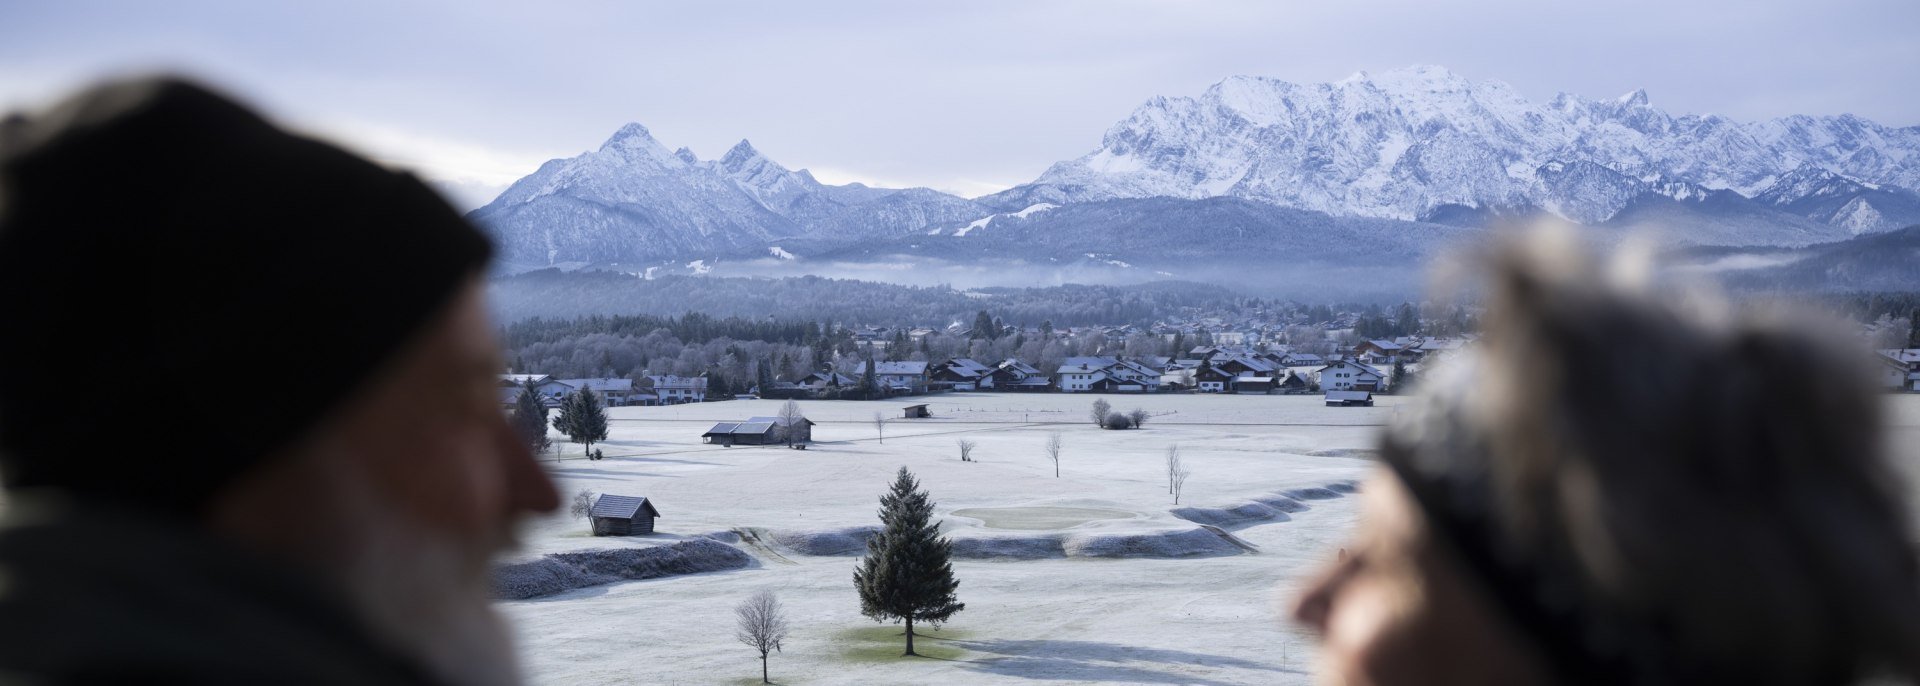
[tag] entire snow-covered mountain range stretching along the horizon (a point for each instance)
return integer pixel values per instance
(1387, 160)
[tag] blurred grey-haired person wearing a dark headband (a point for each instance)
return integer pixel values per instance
(1620, 489)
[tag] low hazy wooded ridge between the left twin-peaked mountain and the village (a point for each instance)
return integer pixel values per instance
(564, 295)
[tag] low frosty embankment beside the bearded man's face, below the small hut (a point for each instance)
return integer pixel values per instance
(592, 568)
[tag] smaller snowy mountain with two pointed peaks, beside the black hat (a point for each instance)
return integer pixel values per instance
(636, 203)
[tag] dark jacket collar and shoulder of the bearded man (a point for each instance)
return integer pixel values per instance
(120, 597)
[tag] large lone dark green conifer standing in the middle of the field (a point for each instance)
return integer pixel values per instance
(907, 574)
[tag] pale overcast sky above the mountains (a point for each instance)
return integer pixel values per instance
(965, 97)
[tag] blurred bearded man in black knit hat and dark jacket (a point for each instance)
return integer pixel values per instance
(249, 424)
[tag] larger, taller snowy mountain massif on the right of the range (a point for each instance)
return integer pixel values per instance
(1406, 143)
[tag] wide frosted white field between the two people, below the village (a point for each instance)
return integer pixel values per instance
(1107, 599)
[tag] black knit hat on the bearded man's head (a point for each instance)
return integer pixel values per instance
(185, 289)
